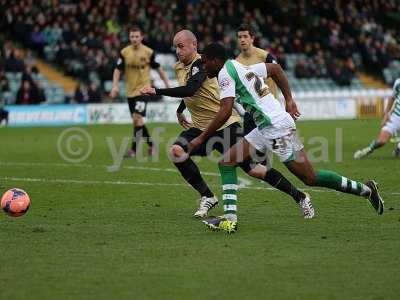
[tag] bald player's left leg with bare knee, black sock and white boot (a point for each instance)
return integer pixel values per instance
(190, 172)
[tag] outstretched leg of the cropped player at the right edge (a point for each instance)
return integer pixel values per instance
(387, 131)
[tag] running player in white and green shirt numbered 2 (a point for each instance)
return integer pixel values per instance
(275, 131)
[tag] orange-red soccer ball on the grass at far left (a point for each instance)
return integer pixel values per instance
(15, 202)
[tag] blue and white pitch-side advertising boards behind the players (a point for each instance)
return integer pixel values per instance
(312, 105)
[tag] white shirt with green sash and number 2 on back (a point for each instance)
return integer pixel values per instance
(246, 84)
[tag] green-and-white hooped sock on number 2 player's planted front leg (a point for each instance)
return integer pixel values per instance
(229, 187)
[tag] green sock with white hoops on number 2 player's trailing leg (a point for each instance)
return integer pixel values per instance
(340, 183)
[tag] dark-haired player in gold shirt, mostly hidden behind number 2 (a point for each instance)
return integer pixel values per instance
(251, 55)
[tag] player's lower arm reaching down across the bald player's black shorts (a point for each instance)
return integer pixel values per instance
(225, 111)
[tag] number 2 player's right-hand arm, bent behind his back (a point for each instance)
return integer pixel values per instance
(276, 72)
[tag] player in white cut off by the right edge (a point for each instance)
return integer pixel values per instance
(390, 125)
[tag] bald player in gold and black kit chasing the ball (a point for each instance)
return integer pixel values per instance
(201, 97)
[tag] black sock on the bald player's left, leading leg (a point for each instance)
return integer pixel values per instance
(192, 175)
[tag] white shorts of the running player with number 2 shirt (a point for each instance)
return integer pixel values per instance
(285, 143)
